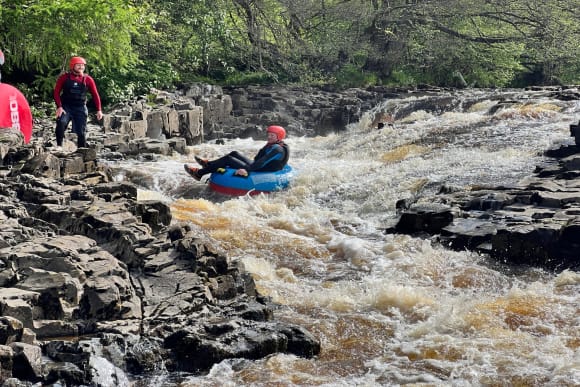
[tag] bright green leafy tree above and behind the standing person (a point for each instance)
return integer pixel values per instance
(39, 37)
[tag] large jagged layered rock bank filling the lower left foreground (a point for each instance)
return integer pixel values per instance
(97, 288)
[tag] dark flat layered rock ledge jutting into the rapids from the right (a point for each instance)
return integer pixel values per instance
(536, 224)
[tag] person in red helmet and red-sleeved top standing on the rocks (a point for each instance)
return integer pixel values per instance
(70, 95)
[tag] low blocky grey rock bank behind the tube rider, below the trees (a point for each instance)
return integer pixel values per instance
(200, 112)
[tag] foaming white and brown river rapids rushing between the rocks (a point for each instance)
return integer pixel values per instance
(391, 309)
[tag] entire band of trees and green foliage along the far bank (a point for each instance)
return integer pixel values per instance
(134, 45)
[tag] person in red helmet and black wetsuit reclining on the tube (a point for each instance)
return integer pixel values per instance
(272, 157)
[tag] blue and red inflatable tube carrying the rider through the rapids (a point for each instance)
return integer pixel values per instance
(226, 182)
